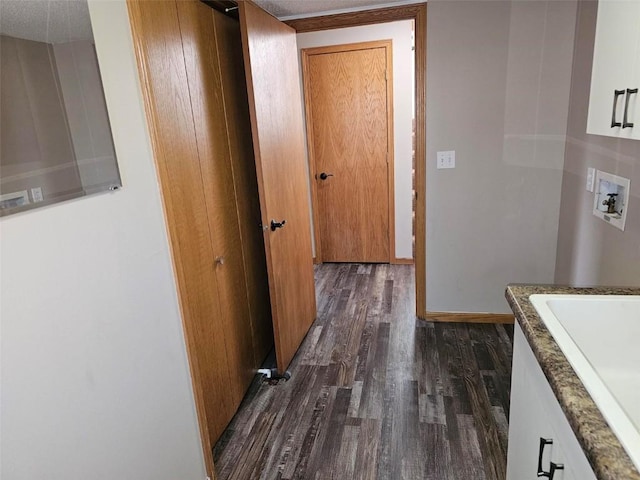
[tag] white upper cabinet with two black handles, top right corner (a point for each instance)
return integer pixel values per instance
(614, 106)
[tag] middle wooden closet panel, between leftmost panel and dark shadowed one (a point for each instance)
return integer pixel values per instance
(205, 88)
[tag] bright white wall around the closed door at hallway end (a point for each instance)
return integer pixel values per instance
(403, 76)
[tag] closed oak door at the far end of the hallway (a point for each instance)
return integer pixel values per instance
(348, 97)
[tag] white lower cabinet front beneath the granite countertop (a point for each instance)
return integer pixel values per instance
(535, 414)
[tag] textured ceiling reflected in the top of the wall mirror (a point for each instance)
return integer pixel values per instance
(50, 21)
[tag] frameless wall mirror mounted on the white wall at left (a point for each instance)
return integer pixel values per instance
(55, 137)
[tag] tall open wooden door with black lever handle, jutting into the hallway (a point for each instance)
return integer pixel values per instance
(270, 56)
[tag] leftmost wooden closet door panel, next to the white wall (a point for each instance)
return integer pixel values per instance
(161, 65)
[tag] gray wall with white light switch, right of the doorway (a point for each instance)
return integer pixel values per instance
(498, 76)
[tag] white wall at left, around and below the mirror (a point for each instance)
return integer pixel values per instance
(95, 380)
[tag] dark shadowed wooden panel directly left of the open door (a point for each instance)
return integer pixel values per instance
(236, 103)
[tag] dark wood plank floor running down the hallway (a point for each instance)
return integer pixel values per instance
(376, 393)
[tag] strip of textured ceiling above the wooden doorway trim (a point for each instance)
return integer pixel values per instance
(298, 8)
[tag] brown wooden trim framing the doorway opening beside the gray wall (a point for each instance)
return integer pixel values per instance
(418, 13)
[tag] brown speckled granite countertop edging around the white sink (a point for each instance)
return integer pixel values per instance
(604, 452)
